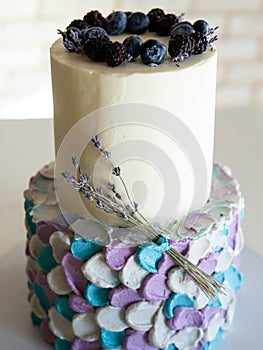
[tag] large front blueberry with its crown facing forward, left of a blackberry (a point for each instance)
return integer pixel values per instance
(153, 52)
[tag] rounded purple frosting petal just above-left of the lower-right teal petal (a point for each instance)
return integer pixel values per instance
(154, 288)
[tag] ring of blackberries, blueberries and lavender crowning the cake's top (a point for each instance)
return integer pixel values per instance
(151, 39)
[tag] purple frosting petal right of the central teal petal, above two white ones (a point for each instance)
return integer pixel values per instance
(123, 297)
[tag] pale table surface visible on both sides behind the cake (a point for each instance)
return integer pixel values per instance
(26, 145)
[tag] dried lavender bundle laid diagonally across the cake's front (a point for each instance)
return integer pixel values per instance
(130, 214)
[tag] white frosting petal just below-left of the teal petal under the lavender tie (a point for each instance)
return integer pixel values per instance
(132, 275)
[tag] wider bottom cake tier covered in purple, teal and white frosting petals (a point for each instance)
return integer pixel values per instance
(84, 295)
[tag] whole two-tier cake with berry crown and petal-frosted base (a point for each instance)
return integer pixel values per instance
(134, 105)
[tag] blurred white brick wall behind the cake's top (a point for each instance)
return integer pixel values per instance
(29, 27)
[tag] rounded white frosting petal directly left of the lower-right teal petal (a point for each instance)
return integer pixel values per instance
(140, 315)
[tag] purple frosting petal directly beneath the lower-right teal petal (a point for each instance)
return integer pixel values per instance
(186, 317)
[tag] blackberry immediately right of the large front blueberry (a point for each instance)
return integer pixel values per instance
(181, 46)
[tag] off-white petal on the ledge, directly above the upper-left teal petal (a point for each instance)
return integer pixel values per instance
(90, 230)
